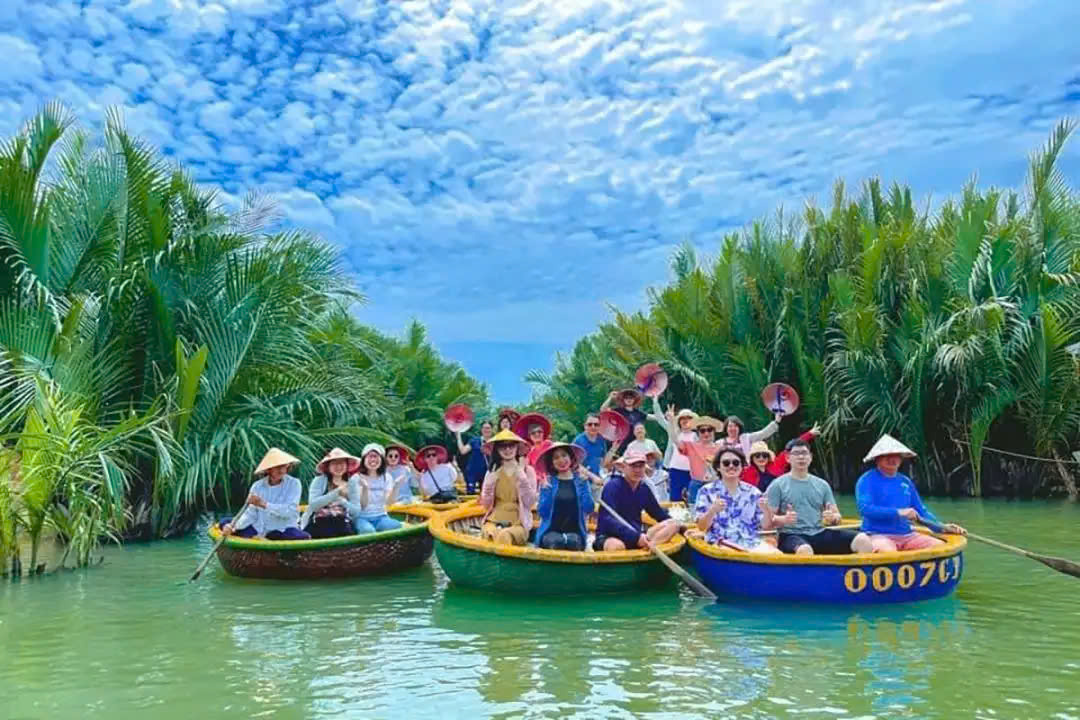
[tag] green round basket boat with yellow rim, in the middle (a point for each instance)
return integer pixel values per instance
(470, 562)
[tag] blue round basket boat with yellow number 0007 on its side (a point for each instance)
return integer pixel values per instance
(862, 579)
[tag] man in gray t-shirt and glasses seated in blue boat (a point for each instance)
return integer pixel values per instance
(808, 507)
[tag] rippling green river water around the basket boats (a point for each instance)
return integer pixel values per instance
(131, 640)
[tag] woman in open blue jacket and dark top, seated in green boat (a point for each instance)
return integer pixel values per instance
(565, 499)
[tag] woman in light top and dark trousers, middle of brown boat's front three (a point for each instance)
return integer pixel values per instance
(333, 497)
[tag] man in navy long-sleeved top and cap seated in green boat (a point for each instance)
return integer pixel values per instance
(627, 495)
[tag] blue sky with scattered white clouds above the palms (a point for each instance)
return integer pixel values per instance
(504, 170)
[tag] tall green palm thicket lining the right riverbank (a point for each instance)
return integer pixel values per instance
(954, 328)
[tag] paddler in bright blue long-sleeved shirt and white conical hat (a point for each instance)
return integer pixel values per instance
(889, 502)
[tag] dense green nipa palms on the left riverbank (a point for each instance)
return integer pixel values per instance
(154, 344)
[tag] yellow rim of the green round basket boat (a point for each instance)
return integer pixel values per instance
(441, 531)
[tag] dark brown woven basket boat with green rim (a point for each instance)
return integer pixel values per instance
(377, 553)
